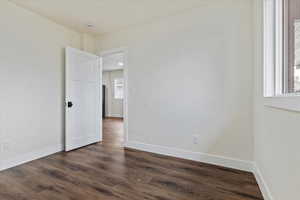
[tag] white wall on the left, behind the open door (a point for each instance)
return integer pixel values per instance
(31, 84)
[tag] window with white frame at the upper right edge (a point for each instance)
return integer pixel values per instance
(282, 47)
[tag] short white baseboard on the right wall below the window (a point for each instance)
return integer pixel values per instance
(262, 183)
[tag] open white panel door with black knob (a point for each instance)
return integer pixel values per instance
(83, 99)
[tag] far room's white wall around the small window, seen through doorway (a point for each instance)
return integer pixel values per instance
(113, 107)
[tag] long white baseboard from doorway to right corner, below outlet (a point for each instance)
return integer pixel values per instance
(196, 156)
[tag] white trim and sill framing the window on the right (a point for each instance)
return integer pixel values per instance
(273, 60)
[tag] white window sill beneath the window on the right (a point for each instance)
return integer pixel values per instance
(285, 102)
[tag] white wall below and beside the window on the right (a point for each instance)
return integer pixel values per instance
(276, 132)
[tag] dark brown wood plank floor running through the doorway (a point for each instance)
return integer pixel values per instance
(108, 172)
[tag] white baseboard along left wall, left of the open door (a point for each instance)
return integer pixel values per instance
(13, 162)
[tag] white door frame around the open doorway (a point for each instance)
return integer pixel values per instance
(123, 50)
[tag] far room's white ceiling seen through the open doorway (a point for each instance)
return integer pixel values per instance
(112, 62)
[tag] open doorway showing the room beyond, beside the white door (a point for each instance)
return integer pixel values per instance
(114, 94)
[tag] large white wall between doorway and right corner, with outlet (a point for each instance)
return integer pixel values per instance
(196, 70)
